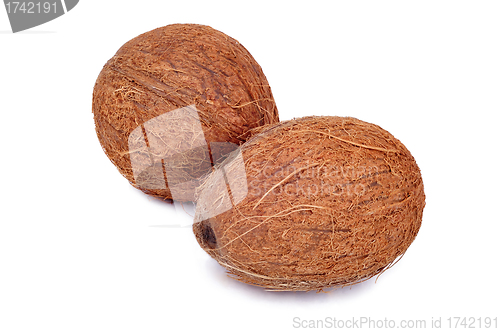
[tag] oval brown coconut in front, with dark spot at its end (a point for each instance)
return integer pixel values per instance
(311, 203)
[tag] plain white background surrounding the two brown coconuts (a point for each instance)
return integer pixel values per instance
(81, 250)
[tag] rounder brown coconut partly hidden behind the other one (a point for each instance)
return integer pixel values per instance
(167, 69)
